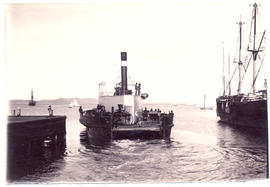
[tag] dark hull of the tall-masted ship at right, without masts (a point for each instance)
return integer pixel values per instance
(249, 114)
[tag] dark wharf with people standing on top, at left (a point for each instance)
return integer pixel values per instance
(30, 140)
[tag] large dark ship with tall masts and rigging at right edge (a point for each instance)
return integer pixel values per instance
(249, 110)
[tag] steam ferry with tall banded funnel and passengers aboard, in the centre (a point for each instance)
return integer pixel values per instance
(121, 116)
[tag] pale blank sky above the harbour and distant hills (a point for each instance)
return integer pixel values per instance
(174, 48)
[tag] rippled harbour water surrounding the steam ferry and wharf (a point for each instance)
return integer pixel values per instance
(201, 150)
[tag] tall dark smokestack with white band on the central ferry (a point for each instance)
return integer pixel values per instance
(123, 73)
